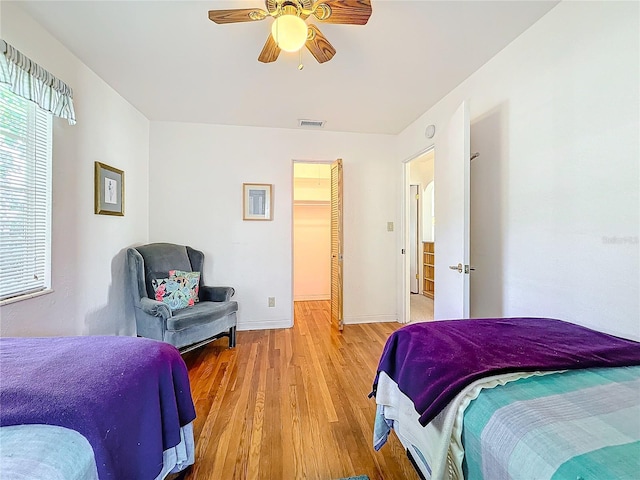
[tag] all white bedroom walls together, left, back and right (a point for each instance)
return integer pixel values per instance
(555, 117)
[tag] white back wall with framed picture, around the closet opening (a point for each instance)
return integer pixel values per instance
(195, 189)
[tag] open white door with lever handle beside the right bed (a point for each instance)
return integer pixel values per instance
(451, 179)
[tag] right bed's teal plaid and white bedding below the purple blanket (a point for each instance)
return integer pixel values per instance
(543, 425)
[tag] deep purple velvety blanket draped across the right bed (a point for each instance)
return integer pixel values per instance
(432, 362)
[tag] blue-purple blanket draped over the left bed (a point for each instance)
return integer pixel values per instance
(128, 396)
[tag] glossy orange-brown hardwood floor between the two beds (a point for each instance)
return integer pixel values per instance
(292, 403)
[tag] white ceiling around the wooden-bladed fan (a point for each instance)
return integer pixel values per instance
(172, 63)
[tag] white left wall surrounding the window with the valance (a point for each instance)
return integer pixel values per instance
(87, 249)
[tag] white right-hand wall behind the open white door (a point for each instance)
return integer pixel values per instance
(558, 113)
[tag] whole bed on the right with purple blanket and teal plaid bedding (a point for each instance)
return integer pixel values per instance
(509, 398)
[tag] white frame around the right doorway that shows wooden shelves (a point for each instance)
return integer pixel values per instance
(405, 287)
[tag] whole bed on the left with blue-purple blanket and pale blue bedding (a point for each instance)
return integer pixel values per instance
(93, 407)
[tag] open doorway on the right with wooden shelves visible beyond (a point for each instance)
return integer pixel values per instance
(419, 174)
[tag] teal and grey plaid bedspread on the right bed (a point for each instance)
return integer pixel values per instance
(576, 425)
